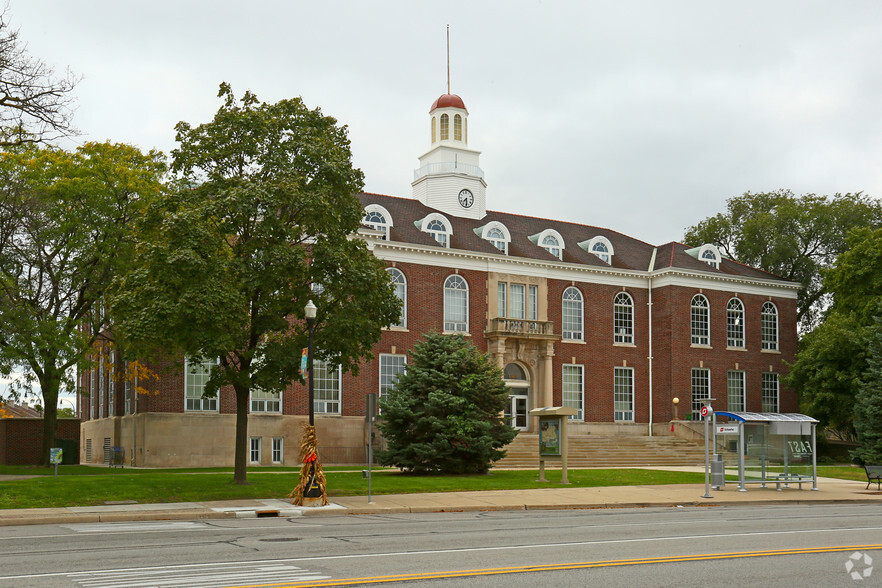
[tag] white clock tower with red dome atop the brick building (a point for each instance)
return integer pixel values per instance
(449, 178)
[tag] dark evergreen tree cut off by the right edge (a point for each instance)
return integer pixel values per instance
(868, 404)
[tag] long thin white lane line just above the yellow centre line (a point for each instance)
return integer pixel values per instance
(472, 549)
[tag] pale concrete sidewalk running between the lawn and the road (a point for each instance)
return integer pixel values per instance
(829, 491)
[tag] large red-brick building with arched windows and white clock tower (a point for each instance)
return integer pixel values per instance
(576, 315)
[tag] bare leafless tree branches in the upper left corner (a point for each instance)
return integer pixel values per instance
(35, 104)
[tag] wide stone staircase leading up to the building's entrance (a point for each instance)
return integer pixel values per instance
(608, 451)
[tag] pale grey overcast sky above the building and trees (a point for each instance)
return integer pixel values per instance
(643, 117)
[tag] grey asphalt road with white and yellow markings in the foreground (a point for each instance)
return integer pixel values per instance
(756, 546)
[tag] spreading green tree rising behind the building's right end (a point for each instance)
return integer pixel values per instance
(794, 237)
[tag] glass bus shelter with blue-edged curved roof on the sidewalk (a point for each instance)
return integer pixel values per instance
(768, 447)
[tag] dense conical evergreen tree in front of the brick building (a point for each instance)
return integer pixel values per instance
(445, 412)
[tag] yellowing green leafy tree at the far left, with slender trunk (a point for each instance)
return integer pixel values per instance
(65, 220)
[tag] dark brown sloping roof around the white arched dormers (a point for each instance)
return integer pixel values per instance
(629, 253)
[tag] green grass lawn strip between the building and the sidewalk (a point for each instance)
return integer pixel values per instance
(84, 485)
